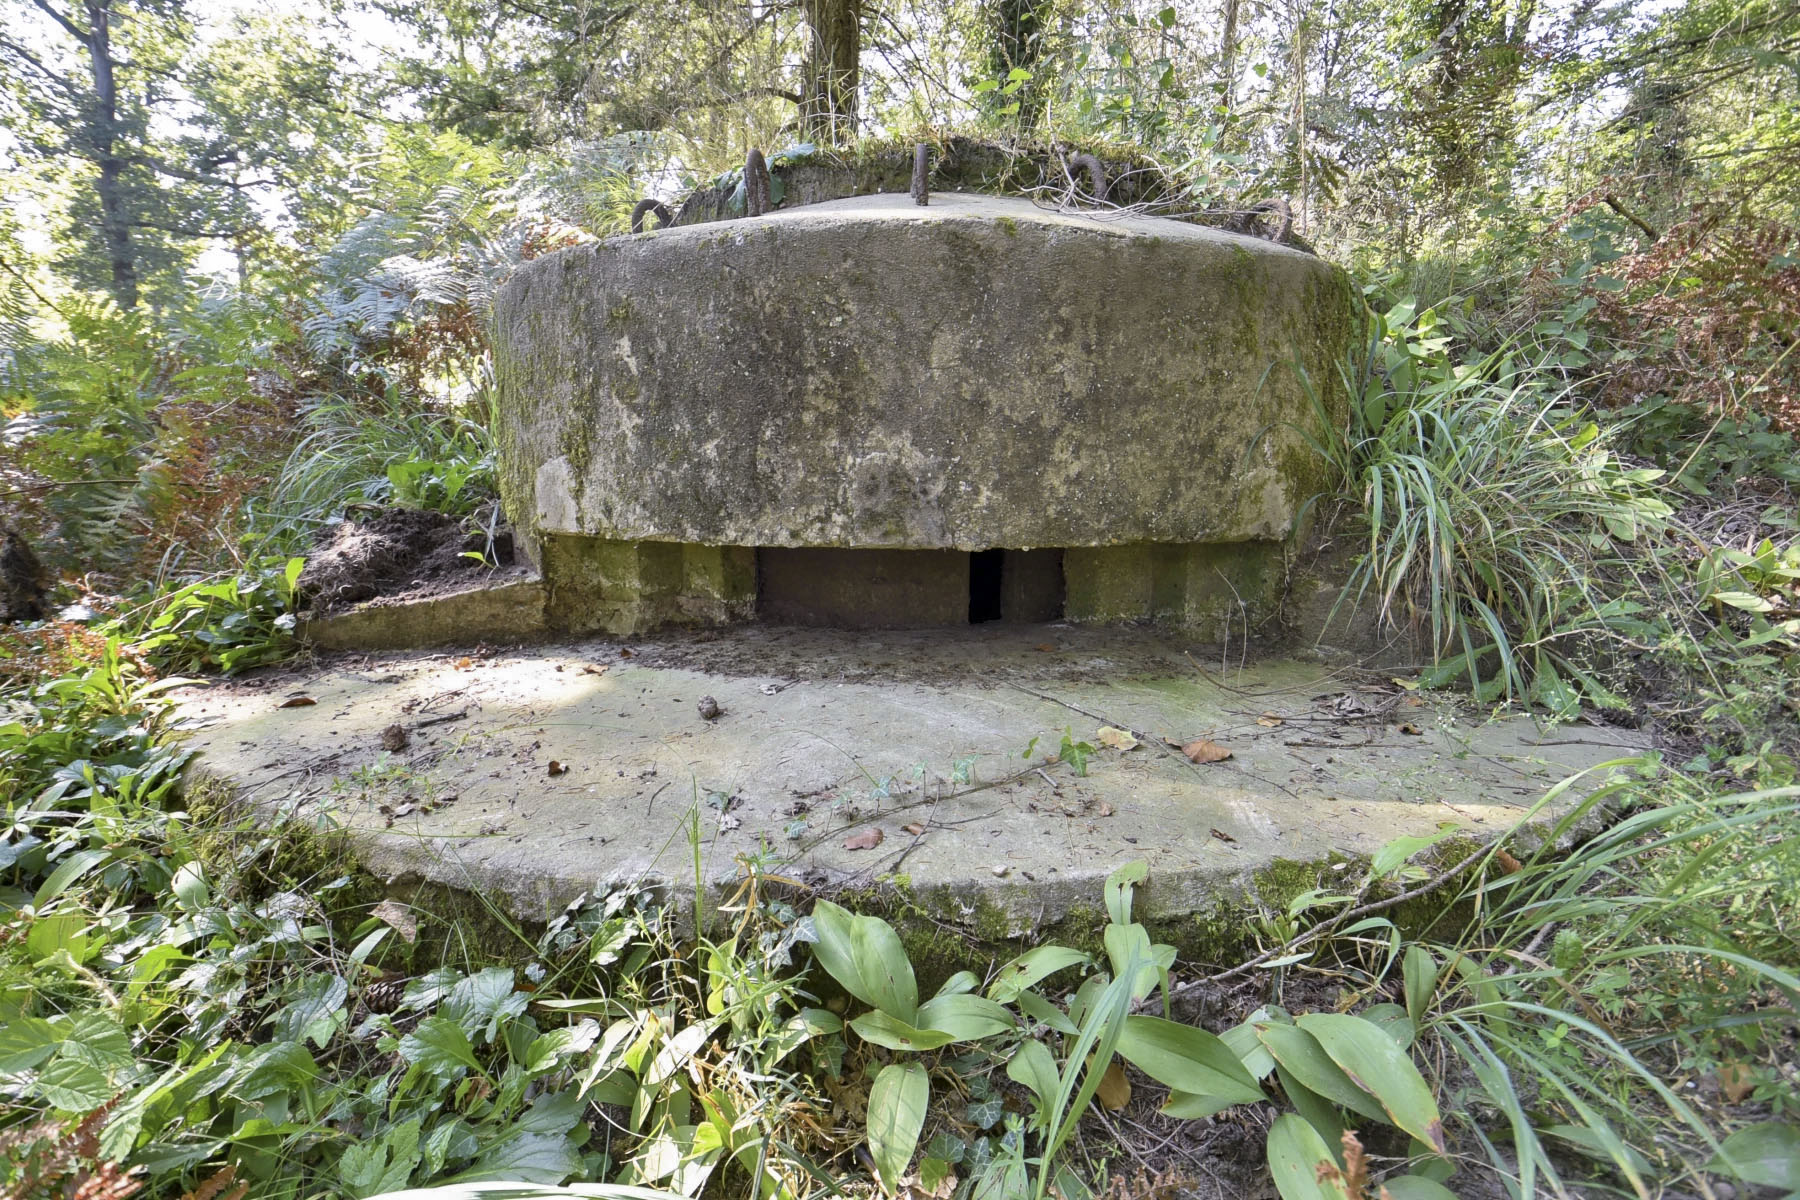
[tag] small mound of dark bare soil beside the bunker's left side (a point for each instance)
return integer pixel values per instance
(399, 555)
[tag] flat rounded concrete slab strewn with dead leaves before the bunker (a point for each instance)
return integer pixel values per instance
(937, 740)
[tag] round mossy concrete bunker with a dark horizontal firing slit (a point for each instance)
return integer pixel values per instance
(868, 413)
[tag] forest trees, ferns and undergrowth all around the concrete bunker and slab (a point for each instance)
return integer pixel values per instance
(247, 255)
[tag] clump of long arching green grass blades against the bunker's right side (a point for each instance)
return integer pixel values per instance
(1497, 514)
